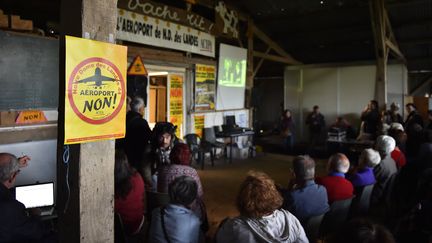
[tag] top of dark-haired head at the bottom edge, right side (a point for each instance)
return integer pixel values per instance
(362, 231)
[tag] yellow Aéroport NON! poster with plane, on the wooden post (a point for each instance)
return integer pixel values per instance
(95, 90)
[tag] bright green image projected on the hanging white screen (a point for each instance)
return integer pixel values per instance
(233, 73)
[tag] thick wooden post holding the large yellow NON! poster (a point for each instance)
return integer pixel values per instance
(86, 210)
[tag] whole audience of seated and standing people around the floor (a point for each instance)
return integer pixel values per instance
(399, 173)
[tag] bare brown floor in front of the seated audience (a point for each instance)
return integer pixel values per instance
(221, 182)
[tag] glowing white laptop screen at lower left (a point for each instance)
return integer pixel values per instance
(33, 196)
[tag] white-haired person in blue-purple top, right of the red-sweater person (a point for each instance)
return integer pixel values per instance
(363, 174)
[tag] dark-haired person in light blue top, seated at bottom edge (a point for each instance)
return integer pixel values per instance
(176, 222)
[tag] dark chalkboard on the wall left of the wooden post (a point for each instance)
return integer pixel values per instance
(29, 72)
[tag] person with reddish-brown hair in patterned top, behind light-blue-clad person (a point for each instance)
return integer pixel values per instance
(180, 165)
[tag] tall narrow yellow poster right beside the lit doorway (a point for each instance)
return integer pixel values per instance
(176, 102)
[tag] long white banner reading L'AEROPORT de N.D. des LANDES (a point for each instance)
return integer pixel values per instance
(156, 32)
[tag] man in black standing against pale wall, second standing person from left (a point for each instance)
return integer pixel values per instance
(316, 123)
